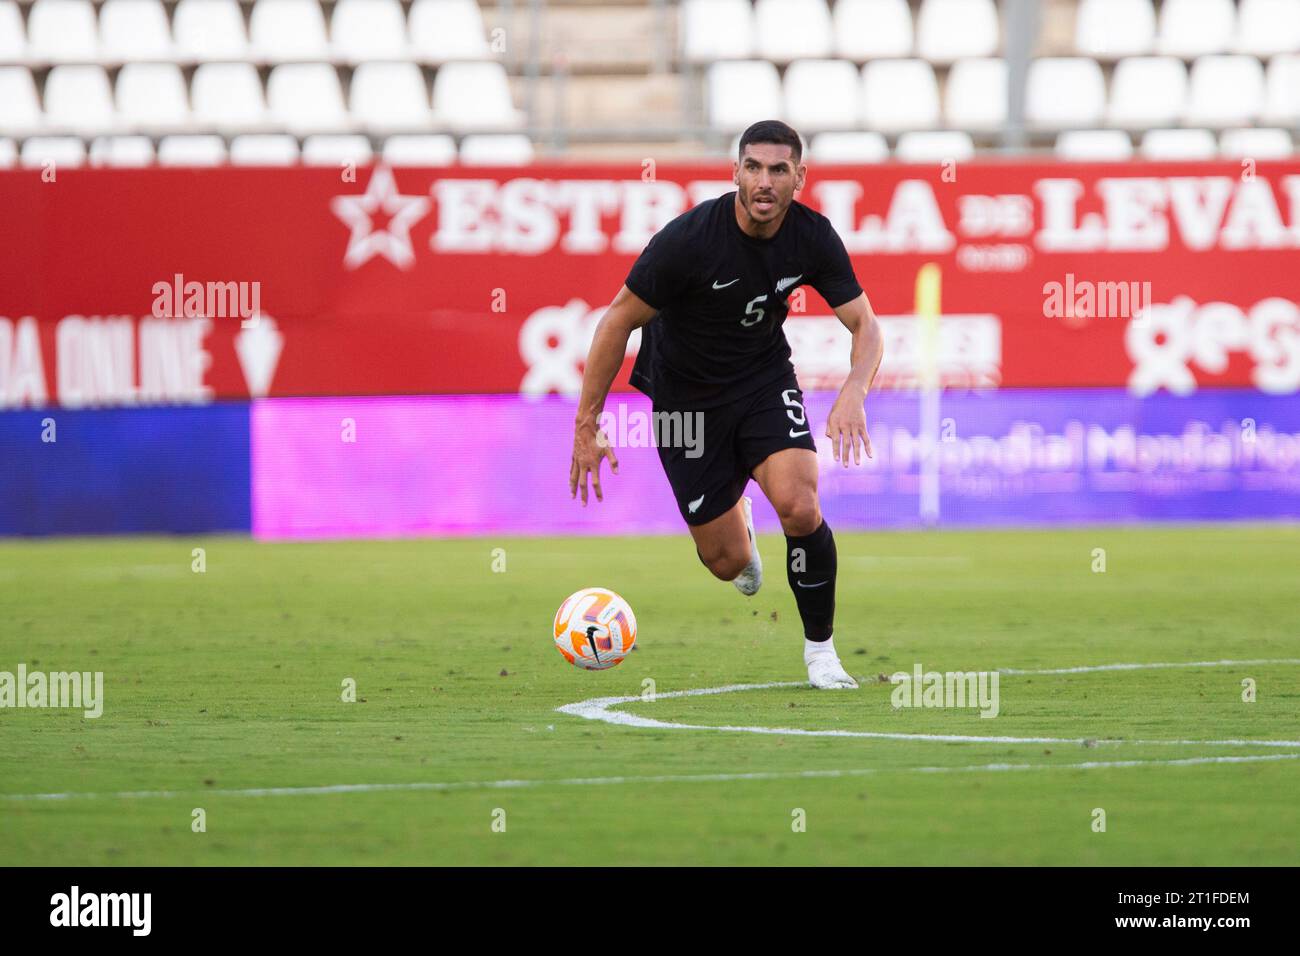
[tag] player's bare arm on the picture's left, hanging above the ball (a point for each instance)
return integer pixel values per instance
(604, 361)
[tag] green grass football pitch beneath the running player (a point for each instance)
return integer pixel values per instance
(232, 680)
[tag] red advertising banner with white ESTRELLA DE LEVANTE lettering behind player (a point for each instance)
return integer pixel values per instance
(180, 287)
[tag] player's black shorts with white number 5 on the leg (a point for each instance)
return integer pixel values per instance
(709, 455)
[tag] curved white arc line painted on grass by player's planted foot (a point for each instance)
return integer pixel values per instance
(599, 710)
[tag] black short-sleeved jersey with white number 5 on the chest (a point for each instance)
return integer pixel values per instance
(722, 297)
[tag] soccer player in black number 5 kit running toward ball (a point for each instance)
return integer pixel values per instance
(712, 292)
